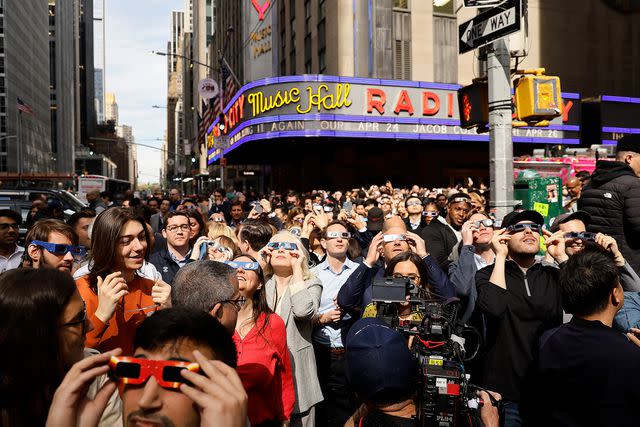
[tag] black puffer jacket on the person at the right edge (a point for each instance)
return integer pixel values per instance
(612, 197)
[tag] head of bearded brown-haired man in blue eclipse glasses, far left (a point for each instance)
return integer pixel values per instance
(52, 244)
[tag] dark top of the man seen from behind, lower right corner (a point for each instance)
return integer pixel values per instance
(587, 375)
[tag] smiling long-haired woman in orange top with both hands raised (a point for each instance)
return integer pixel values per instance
(118, 299)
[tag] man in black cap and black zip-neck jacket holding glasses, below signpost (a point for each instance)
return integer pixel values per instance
(520, 298)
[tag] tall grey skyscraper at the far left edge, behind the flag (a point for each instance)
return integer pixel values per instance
(25, 138)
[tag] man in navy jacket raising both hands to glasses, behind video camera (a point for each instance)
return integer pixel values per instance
(394, 239)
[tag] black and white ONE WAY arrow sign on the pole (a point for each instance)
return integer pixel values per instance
(490, 25)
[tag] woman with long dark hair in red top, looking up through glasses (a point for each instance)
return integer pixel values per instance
(263, 357)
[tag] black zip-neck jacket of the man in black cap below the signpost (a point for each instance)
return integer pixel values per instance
(515, 317)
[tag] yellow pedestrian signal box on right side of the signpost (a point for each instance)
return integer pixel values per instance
(537, 96)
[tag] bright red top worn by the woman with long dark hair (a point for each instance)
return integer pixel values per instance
(265, 370)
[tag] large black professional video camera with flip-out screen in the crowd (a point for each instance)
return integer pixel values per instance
(444, 395)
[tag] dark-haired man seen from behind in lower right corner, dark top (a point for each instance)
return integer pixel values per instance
(587, 373)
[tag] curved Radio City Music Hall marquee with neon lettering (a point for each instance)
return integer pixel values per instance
(328, 106)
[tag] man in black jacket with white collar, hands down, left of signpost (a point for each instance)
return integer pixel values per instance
(443, 234)
